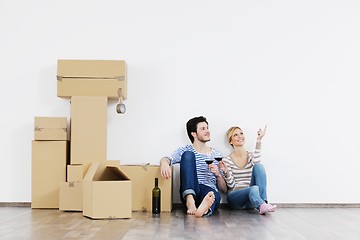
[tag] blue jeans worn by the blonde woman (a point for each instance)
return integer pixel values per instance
(252, 196)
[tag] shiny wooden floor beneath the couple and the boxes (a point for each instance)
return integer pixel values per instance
(286, 223)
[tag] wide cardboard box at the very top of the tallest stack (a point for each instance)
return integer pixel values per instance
(91, 78)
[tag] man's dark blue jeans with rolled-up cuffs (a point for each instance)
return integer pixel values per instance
(189, 183)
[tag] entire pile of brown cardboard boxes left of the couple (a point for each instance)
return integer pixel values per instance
(88, 182)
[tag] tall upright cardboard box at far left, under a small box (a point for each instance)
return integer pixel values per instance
(49, 160)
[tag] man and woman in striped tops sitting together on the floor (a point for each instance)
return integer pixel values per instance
(240, 174)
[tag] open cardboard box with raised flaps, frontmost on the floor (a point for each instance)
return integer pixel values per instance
(106, 193)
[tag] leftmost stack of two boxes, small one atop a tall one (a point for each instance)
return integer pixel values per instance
(50, 156)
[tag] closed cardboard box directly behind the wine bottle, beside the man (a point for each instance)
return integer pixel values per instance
(143, 179)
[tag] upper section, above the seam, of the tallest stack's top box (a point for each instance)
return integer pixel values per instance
(91, 69)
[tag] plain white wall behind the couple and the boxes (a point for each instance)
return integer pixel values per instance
(292, 65)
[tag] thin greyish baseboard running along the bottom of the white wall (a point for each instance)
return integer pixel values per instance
(225, 205)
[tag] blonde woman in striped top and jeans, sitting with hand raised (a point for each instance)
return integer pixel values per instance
(245, 175)
